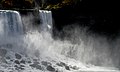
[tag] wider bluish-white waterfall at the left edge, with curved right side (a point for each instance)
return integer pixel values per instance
(11, 22)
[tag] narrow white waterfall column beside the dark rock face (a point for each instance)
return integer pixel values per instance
(46, 20)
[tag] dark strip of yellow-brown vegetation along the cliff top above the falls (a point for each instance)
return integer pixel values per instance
(43, 4)
